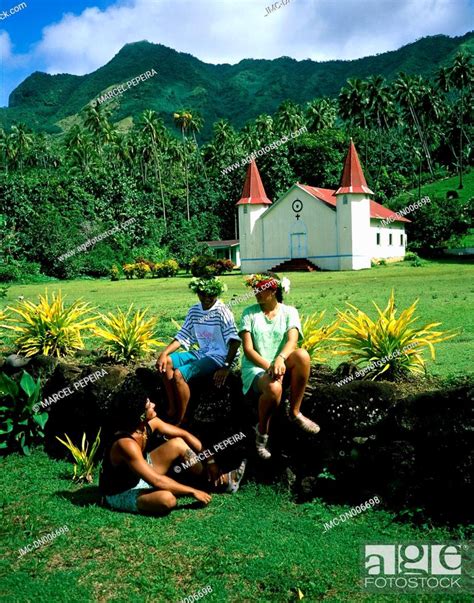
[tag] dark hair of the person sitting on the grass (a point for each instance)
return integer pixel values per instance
(127, 404)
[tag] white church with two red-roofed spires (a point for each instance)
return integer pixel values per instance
(310, 227)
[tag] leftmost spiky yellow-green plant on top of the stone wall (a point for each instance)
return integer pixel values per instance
(50, 327)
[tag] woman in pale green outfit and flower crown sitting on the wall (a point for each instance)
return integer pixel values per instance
(270, 331)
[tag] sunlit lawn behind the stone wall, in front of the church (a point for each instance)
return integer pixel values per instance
(445, 290)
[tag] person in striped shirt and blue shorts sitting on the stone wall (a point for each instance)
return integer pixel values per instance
(210, 325)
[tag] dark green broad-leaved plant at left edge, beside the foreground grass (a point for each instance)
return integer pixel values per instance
(21, 425)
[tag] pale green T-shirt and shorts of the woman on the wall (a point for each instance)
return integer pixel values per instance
(268, 336)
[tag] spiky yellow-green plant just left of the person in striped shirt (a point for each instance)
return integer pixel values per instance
(127, 336)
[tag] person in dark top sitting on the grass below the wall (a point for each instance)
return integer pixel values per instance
(135, 466)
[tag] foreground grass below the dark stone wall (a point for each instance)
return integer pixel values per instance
(255, 546)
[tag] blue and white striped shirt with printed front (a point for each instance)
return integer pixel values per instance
(211, 329)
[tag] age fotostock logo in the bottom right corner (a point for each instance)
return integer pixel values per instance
(415, 566)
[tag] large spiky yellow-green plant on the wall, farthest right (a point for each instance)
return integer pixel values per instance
(390, 344)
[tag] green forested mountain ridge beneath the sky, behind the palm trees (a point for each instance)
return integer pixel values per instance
(237, 92)
